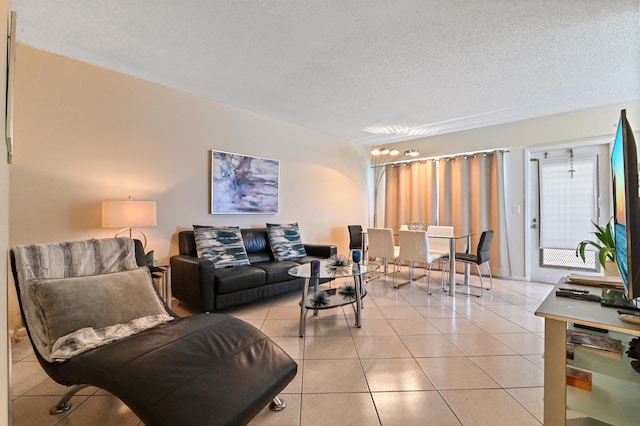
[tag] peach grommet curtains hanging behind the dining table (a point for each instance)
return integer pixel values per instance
(466, 192)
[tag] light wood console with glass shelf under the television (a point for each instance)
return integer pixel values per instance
(616, 386)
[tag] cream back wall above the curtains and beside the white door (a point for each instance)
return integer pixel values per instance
(578, 127)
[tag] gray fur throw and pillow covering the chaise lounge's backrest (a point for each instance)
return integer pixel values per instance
(97, 278)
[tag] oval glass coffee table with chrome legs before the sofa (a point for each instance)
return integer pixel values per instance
(326, 298)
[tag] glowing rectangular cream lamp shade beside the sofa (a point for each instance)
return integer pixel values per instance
(128, 214)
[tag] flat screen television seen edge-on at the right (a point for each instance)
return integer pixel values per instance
(626, 206)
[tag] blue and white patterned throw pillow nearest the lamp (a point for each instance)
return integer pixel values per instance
(223, 246)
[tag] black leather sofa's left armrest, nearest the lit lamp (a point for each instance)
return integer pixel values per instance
(192, 281)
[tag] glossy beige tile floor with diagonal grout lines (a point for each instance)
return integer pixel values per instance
(416, 360)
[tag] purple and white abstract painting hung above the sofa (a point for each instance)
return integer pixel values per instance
(243, 184)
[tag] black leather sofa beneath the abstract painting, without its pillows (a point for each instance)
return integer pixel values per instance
(195, 281)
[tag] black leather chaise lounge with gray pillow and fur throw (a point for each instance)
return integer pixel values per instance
(84, 305)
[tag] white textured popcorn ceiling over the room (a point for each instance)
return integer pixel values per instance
(399, 68)
